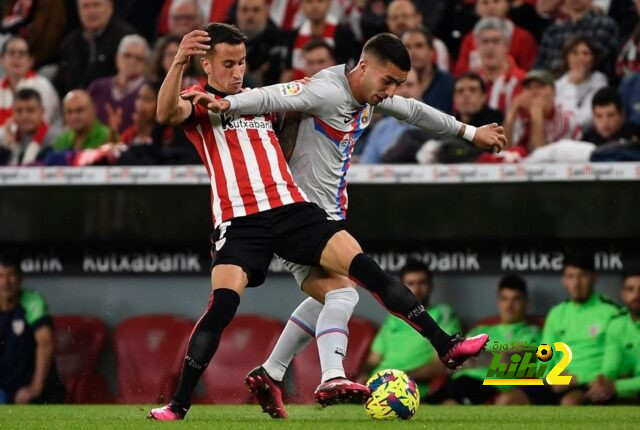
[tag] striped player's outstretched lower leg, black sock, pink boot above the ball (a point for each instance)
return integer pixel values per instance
(343, 255)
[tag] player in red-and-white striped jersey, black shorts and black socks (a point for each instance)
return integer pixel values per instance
(258, 210)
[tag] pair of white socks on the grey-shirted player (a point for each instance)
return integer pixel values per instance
(327, 323)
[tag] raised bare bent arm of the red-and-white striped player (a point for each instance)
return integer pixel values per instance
(172, 109)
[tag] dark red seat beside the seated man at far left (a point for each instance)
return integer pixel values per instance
(79, 341)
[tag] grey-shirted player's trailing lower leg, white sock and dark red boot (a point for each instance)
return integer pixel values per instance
(264, 381)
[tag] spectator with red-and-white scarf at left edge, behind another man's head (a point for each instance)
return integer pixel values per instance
(17, 62)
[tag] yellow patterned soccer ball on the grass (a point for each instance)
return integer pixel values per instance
(393, 395)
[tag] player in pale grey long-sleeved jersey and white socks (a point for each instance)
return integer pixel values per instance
(337, 105)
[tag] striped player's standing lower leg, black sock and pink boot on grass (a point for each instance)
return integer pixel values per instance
(203, 343)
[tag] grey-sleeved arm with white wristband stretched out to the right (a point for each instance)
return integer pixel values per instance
(414, 112)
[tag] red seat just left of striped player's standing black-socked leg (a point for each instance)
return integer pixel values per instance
(149, 353)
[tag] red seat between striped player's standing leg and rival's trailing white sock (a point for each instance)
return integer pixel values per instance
(245, 344)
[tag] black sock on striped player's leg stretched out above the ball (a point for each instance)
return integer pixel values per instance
(398, 300)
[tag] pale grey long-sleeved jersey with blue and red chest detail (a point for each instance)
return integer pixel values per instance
(331, 123)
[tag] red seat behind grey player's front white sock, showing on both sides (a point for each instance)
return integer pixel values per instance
(307, 364)
